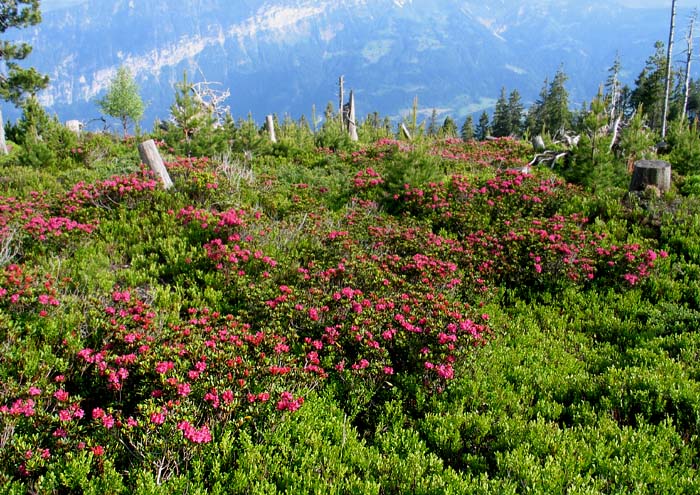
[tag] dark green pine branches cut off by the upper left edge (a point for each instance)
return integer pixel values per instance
(16, 82)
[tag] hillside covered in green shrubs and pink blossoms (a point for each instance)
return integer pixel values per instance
(392, 318)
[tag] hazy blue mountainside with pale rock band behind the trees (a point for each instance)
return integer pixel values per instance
(284, 56)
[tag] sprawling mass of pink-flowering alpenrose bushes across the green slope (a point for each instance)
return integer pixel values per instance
(359, 301)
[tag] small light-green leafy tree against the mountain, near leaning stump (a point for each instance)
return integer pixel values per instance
(122, 100)
